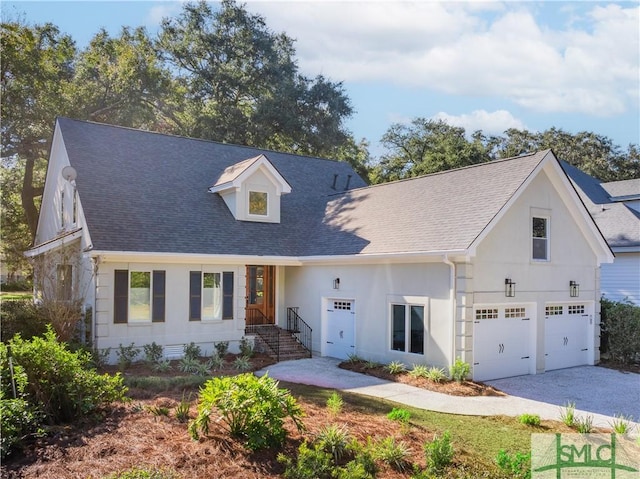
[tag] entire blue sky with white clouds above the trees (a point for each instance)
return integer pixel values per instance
(480, 65)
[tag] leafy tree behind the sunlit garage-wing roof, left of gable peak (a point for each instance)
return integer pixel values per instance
(427, 146)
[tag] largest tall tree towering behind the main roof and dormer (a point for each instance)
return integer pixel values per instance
(243, 86)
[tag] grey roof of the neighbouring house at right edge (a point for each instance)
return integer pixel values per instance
(619, 224)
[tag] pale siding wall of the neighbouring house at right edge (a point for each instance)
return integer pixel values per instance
(621, 279)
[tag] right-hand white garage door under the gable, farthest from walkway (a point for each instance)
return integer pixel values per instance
(566, 336)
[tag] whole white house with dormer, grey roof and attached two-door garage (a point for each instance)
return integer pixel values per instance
(173, 240)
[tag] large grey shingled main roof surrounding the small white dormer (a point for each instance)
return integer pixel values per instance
(143, 191)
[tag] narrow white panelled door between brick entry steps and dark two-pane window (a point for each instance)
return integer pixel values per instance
(339, 329)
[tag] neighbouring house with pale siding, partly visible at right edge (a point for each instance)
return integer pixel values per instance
(615, 207)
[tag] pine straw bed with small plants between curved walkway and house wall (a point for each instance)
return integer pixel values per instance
(454, 388)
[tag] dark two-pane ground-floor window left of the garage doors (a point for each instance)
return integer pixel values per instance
(407, 328)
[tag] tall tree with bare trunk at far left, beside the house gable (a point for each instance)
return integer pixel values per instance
(37, 67)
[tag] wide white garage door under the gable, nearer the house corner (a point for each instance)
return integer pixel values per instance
(501, 341)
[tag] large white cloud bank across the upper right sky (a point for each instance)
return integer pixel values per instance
(510, 50)
